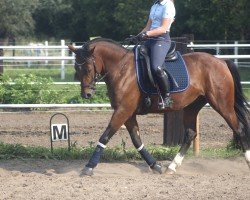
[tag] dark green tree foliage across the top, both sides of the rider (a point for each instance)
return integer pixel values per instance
(77, 20)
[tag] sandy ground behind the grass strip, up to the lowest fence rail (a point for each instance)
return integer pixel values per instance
(33, 128)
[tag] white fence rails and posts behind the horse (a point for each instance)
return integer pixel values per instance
(62, 57)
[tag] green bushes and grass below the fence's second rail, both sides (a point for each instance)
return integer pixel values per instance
(42, 89)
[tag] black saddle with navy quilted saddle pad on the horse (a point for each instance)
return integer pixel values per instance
(174, 66)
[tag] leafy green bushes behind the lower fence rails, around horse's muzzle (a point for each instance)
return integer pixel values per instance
(32, 89)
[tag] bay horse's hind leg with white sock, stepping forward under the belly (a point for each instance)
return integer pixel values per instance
(189, 119)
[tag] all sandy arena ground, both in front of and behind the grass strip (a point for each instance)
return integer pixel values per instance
(197, 178)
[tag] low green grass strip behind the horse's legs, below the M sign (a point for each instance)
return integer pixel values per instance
(118, 153)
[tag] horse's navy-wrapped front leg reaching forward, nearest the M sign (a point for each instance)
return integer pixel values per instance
(115, 123)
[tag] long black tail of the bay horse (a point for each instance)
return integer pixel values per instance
(240, 105)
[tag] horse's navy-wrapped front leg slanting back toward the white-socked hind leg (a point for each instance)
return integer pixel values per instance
(133, 129)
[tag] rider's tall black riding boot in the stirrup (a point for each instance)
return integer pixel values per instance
(162, 80)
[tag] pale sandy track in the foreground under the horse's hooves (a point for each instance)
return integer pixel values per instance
(196, 179)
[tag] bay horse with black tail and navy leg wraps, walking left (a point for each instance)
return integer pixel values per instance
(212, 80)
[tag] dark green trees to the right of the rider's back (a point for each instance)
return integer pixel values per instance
(213, 19)
